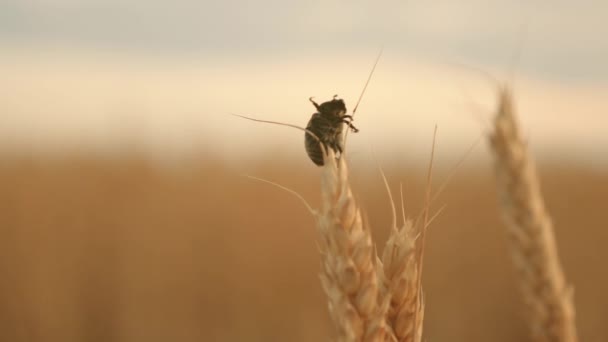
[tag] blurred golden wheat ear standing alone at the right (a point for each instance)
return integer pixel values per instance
(548, 298)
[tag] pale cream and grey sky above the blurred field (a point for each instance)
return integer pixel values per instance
(163, 75)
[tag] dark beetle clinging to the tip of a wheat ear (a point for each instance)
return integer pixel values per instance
(327, 125)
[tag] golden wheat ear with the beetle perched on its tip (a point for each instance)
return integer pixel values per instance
(348, 270)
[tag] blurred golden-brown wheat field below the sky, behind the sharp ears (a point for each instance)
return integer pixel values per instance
(127, 249)
